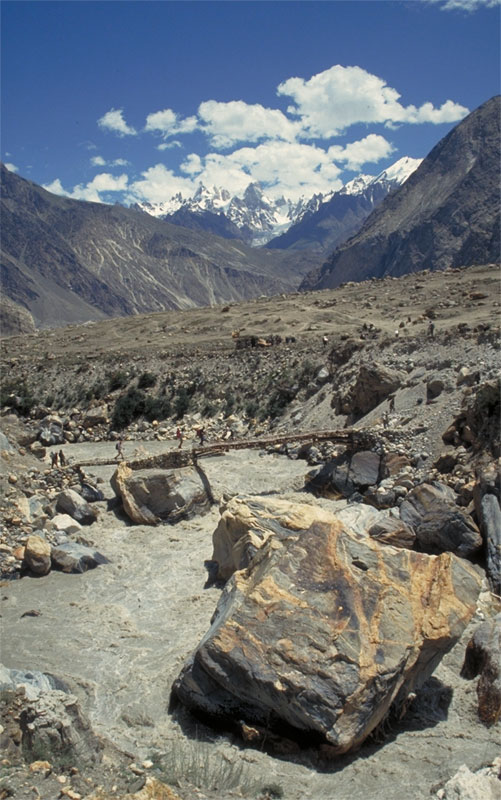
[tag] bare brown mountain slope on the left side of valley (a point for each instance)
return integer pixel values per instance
(69, 261)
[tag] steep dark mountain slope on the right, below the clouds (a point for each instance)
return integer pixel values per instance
(446, 214)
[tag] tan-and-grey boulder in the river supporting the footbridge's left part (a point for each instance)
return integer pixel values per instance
(152, 495)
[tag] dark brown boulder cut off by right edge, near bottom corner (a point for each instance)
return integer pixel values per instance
(483, 657)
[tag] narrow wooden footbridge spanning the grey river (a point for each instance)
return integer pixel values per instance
(353, 438)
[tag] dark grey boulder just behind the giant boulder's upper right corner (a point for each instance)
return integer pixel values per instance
(439, 524)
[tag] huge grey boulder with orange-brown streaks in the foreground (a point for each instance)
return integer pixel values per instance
(325, 632)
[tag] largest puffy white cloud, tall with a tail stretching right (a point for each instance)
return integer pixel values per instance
(339, 97)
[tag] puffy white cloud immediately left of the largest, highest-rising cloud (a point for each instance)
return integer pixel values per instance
(236, 121)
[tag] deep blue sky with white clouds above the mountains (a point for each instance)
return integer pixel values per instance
(126, 101)
